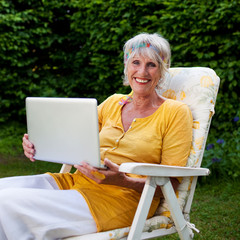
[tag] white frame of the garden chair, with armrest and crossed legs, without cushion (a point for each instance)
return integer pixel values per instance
(159, 175)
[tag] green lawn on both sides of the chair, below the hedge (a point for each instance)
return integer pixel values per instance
(215, 210)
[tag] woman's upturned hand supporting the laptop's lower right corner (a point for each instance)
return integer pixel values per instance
(110, 176)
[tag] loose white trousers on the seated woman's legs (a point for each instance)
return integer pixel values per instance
(33, 207)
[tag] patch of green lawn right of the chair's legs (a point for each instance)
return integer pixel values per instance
(216, 211)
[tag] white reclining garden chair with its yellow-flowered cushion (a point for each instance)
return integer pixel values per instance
(197, 87)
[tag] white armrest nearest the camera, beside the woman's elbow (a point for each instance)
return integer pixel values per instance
(158, 170)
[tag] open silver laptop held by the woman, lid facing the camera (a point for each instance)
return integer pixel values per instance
(64, 130)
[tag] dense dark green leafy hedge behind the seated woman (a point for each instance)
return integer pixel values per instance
(73, 48)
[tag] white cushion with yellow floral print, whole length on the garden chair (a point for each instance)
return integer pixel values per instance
(197, 87)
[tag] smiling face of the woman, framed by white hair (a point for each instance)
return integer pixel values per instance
(143, 74)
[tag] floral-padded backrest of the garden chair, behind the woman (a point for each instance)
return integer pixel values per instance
(198, 88)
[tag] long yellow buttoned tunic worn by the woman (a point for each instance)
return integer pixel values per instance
(162, 138)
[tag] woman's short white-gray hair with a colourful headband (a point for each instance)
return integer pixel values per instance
(153, 46)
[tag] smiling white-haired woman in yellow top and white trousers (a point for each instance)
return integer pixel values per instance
(139, 127)
